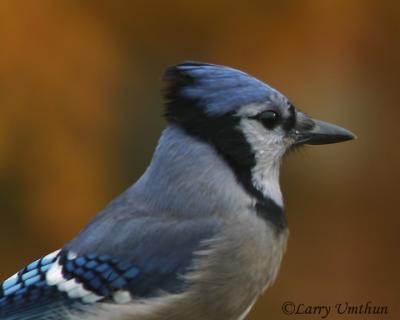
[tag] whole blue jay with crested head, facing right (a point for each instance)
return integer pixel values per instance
(202, 233)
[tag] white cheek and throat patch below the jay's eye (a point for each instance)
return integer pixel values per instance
(268, 147)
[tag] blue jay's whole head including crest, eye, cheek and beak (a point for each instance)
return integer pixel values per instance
(249, 123)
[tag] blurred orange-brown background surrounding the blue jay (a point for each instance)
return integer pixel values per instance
(80, 116)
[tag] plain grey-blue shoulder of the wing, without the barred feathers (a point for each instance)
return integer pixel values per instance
(160, 247)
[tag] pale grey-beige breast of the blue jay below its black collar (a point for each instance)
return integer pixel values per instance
(242, 263)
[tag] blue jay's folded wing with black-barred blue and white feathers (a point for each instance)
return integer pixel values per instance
(114, 260)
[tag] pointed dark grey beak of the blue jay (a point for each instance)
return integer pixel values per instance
(312, 131)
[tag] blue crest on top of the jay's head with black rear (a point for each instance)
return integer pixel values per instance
(215, 90)
